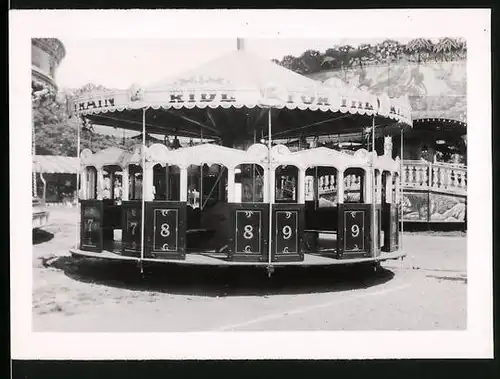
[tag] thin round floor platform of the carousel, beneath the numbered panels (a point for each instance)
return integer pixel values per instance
(220, 259)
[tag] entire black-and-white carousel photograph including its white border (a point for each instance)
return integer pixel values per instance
(235, 185)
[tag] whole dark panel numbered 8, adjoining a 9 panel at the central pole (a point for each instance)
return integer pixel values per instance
(248, 232)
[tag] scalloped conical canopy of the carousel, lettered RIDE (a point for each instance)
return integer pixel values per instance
(228, 98)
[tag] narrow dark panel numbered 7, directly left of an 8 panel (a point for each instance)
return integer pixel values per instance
(131, 227)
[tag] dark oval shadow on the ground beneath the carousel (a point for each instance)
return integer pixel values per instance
(220, 281)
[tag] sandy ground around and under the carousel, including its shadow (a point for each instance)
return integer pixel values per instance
(426, 291)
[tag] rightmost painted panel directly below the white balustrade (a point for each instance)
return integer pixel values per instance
(447, 208)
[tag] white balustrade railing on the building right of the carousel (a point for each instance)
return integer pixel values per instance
(438, 177)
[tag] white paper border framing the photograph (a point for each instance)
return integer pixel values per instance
(472, 24)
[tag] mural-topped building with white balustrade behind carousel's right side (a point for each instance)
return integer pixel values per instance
(434, 77)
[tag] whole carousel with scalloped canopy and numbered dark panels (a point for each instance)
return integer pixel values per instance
(240, 196)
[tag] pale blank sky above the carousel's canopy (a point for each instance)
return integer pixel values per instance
(119, 63)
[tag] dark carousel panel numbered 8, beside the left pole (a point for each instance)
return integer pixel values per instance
(165, 229)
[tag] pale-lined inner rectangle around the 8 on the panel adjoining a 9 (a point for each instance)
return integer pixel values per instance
(248, 232)
